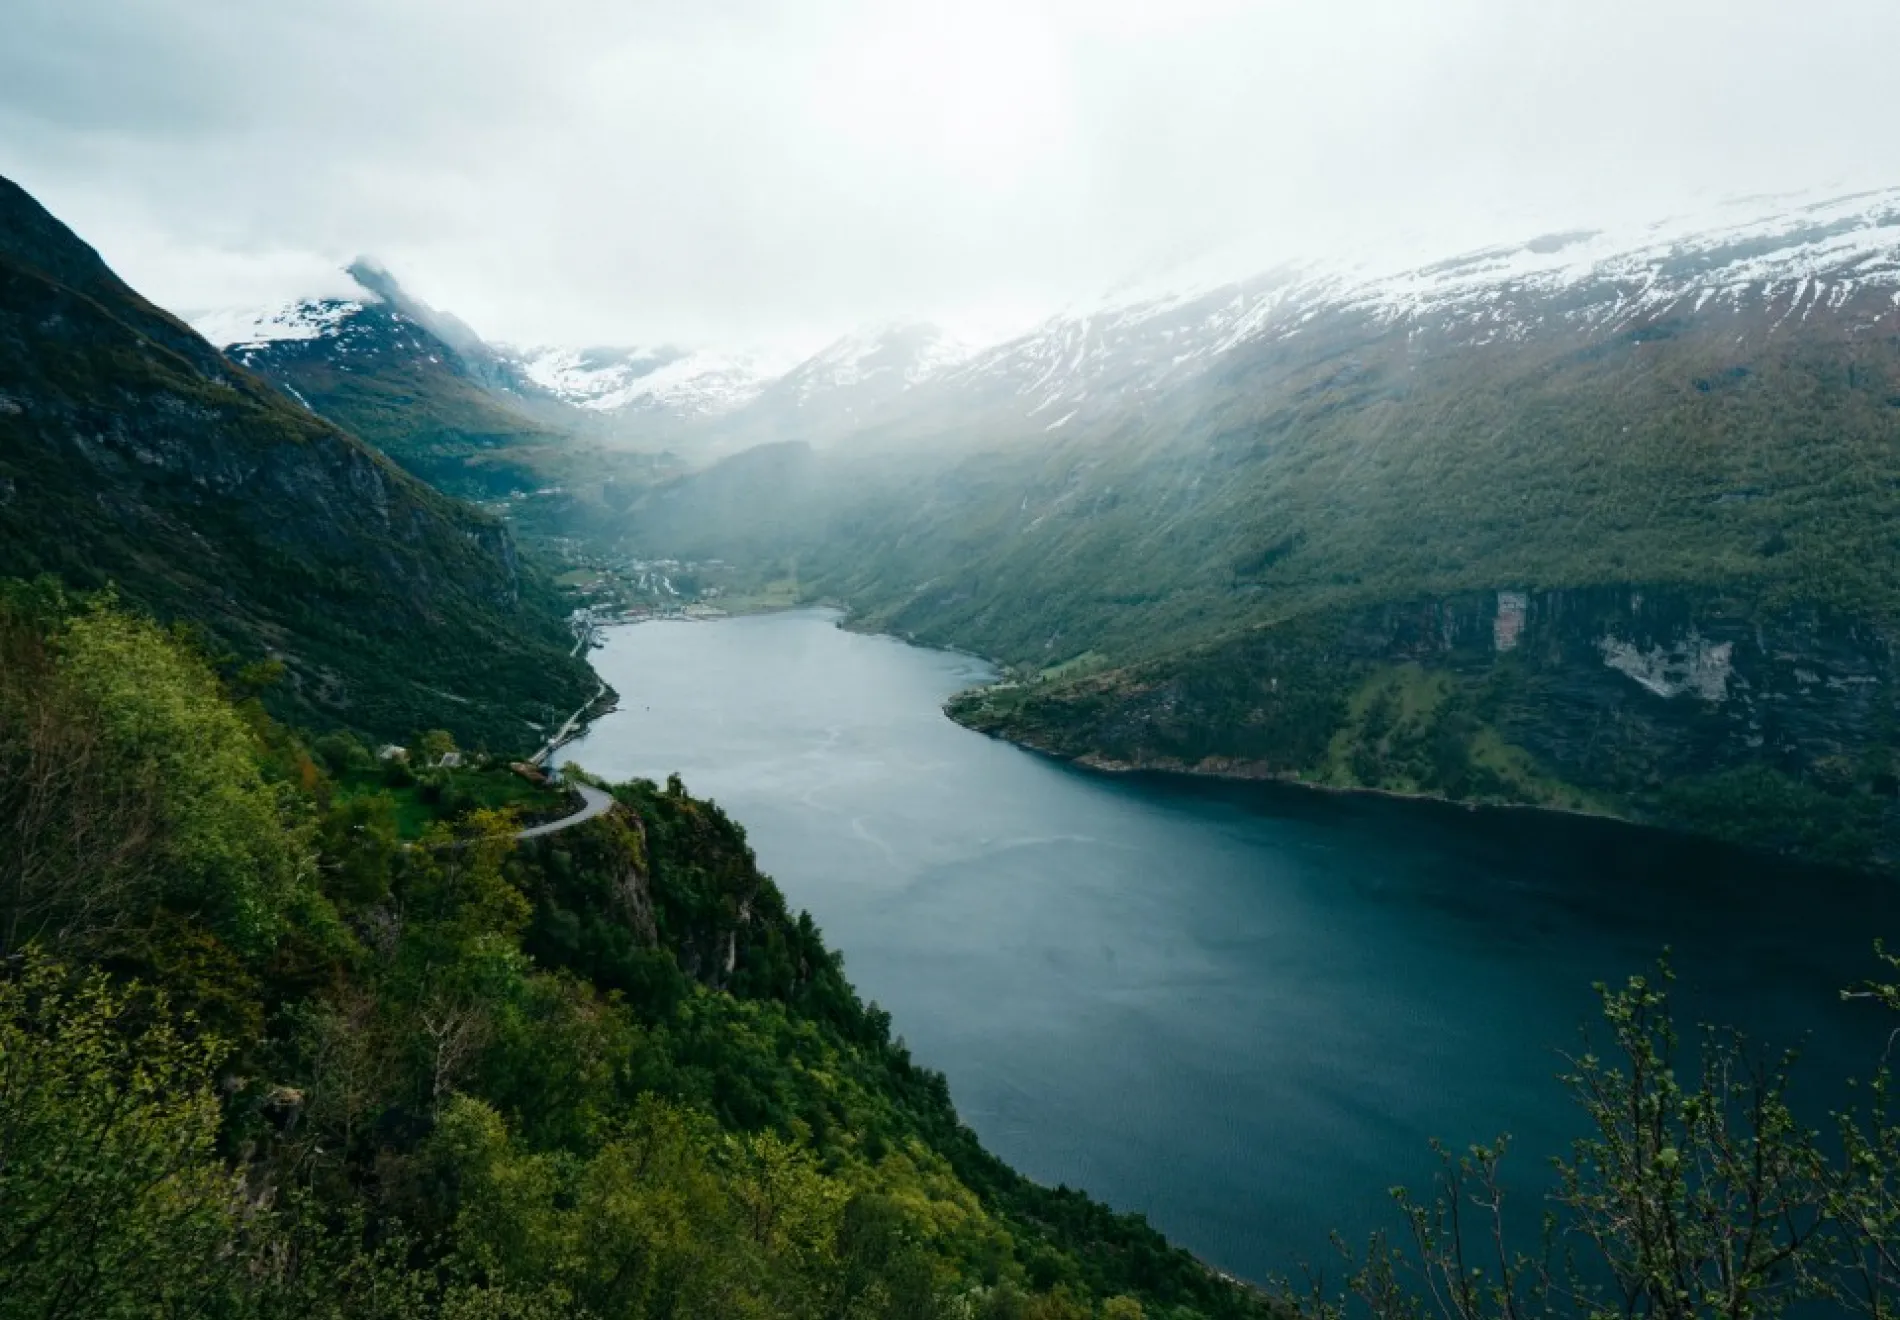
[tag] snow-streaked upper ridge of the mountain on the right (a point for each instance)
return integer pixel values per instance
(1785, 261)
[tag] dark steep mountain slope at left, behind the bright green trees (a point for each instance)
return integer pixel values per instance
(132, 453)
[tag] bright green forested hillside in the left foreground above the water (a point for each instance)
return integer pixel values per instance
(259, 1055)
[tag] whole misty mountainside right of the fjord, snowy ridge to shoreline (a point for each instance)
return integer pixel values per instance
(1580, 521)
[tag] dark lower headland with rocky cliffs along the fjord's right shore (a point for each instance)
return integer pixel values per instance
(1667, 706)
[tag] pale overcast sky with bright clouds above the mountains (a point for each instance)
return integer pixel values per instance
(586, 172)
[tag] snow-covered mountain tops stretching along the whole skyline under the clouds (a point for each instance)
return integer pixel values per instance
(1772, 265)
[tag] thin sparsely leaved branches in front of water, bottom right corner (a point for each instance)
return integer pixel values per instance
(1696, 1194)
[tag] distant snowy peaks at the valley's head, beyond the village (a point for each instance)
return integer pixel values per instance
(485, 419)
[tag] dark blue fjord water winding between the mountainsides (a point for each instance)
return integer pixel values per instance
(1238, 1009)
